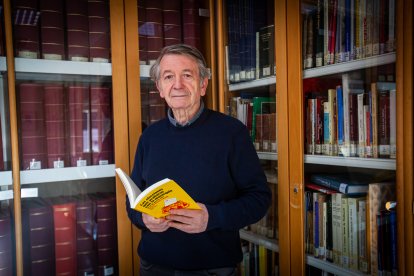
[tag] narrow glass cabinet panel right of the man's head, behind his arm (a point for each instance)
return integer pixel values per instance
(251, 98)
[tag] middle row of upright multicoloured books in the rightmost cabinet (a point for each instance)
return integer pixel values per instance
(352, 121)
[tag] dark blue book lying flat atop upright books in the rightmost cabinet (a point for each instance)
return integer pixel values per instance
(358, 185)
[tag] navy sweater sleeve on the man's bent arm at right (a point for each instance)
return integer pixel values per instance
(253, 194)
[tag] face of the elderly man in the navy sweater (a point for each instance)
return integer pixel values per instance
(180, 83)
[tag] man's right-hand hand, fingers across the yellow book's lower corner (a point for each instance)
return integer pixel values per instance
(188, 220)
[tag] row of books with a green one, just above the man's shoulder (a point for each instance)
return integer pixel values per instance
(259, 116)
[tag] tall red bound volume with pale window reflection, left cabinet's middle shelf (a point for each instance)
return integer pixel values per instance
(79, 125)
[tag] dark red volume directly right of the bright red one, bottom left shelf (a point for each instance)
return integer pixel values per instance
(85, 245)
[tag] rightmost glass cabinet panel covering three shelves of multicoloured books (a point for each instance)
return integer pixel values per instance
(350, 95)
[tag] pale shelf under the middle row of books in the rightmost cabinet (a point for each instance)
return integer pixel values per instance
(356, 162)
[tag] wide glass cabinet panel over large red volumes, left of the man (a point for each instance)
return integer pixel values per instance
(65, 124)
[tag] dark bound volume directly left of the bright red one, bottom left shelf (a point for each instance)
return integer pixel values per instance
(38, 241)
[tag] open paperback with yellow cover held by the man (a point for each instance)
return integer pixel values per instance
(157, 199)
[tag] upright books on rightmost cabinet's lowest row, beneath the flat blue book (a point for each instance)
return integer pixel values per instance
(353, 232)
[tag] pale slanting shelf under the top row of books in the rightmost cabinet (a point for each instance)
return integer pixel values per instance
(343, 67)
